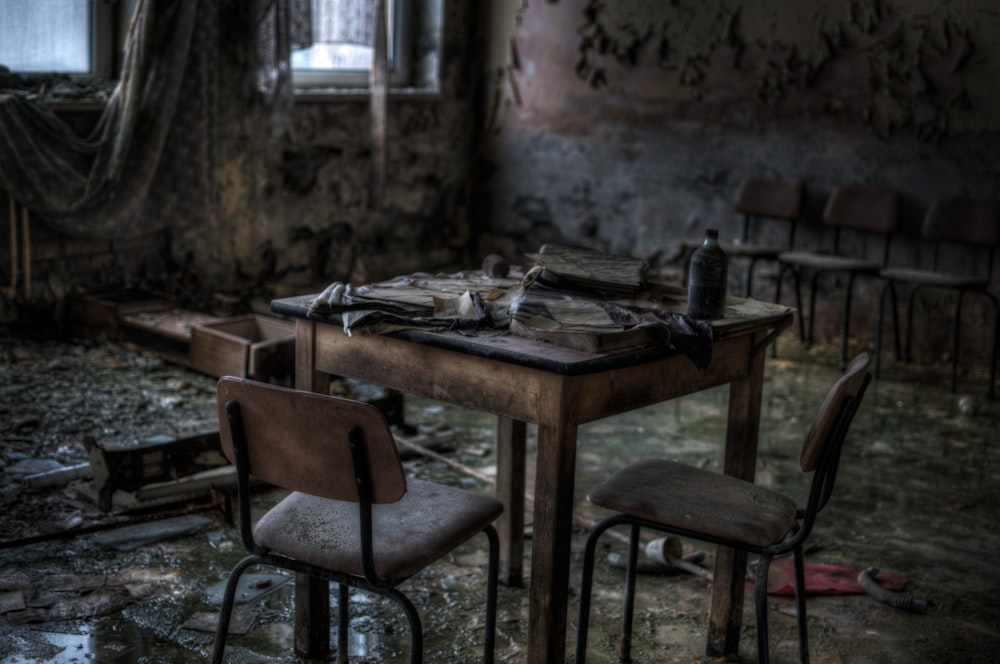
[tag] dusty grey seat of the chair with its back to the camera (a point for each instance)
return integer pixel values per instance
(429, 521)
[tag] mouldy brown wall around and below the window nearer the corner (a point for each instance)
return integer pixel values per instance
(292, 211)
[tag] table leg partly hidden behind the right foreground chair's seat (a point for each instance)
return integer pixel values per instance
(726, 612)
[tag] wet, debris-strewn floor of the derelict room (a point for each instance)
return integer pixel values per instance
(917, 498)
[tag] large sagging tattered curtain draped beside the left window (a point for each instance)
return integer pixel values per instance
(148, 161)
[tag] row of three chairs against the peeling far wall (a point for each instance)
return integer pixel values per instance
(872, 214)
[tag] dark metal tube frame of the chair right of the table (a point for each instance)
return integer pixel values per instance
(821, 489)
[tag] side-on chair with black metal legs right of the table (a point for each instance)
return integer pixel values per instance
(704, 505)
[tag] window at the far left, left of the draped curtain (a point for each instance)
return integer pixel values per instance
(75, 37)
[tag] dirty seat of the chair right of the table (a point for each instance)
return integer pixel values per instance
(682, 496)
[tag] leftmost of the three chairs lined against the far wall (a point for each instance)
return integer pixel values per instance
(770, 208)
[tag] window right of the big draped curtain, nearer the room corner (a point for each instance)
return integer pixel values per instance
(340, 36)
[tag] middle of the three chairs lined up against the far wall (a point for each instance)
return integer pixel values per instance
(868, 212)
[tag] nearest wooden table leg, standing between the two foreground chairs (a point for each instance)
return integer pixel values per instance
(552, 529)
